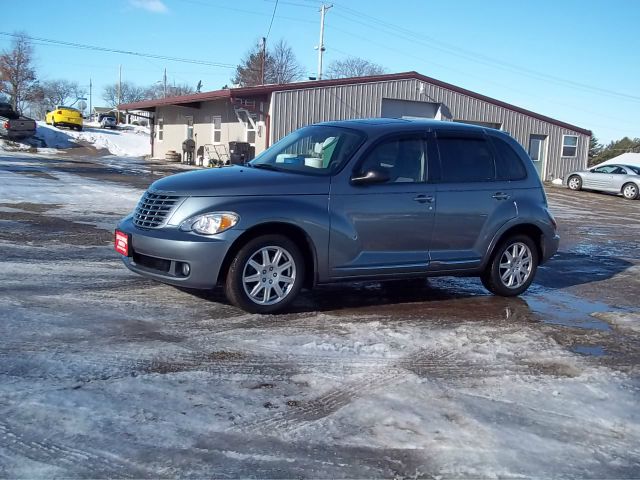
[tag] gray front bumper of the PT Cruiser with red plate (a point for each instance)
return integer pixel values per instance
(161, 254)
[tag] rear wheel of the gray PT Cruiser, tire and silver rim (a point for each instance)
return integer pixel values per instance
(512, 268)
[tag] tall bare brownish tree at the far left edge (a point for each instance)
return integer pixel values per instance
(17, 74)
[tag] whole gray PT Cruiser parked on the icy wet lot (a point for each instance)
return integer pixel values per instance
(361, 199)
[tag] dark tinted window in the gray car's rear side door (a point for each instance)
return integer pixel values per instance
(466, 159)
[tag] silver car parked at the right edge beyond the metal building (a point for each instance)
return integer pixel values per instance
(620, 179)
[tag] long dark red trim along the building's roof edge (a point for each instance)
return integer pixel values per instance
(269, 89)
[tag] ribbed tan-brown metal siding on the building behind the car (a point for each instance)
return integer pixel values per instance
(293, 109)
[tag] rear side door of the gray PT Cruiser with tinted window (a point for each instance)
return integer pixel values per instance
(473, 202)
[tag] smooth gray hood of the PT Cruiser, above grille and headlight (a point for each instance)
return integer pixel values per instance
(240, 181)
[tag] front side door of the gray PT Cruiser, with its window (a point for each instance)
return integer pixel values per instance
(383, 228)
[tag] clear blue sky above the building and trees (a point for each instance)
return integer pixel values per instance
(572, 60)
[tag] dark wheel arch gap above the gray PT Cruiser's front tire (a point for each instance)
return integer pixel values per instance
(293, 232)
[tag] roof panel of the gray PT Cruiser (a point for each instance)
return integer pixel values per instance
(390, 125)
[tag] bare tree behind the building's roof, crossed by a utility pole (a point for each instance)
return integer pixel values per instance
(280, 66)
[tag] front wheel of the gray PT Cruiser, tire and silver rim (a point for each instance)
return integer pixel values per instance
(266, 274)
